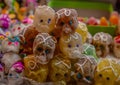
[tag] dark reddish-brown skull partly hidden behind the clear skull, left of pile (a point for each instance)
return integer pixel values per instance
(27, 37)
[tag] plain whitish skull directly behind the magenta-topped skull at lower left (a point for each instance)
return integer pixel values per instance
(9, 59)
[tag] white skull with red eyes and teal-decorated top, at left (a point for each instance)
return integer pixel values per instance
(11, 45)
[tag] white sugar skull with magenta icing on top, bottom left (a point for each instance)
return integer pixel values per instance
(15, 74)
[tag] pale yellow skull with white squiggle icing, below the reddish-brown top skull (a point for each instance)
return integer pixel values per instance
(71, 45)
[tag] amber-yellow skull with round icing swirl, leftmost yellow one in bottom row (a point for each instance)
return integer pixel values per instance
(34, 69)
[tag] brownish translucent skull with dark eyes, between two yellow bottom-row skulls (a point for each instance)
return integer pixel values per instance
(85, 67)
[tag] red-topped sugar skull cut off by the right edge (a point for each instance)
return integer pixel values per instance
(116, 48)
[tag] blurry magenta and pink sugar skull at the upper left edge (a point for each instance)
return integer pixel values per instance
(4, 21)
